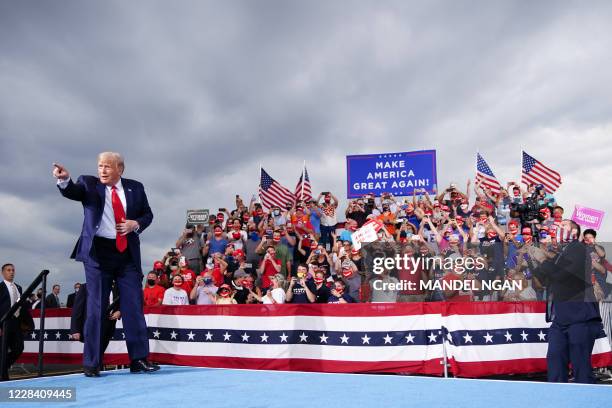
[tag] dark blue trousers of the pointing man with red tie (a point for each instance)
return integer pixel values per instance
(107, 265)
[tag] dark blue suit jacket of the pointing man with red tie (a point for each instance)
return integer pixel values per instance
(91, 193)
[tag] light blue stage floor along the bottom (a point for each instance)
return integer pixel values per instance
(174, 386)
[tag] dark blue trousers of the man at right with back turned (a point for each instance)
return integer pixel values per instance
(571, 343)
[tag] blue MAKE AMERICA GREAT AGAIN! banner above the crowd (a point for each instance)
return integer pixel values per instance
(397, 173)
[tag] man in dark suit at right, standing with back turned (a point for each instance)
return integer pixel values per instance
(574, 312)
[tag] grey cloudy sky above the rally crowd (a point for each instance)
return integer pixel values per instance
(196, 94)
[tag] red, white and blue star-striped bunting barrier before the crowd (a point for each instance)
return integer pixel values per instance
(476, 339)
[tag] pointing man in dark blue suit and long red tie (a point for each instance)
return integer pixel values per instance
(116, 213)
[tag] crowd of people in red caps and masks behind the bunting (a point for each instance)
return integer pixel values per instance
(300, 253)
